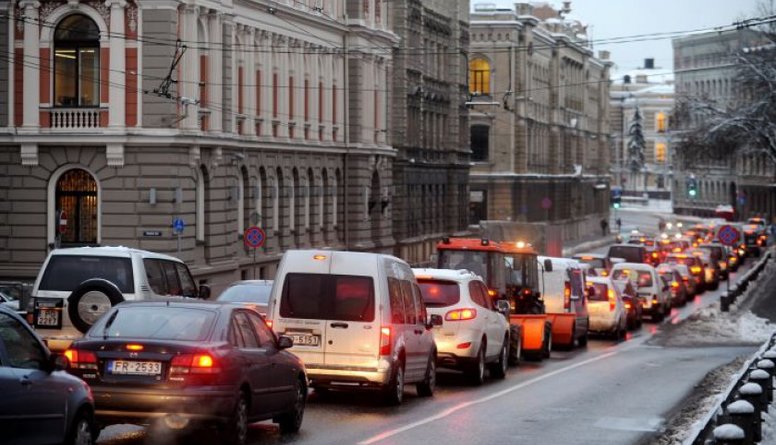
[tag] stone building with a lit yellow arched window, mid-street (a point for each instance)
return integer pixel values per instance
(539, 105)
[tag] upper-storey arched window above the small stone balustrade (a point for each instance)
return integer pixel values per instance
(77, 62)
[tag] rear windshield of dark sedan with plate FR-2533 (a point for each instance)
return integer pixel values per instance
(156, 322)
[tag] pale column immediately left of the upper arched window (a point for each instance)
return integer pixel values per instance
(31, 70)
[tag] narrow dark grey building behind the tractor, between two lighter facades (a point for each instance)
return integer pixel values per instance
(429, 126)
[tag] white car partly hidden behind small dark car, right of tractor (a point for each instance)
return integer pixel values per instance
(657, 302)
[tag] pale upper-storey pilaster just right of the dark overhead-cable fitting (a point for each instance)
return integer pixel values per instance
(189, 67)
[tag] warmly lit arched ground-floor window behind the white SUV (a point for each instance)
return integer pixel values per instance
(76, 197)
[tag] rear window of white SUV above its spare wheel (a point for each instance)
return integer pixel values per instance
(66, 272)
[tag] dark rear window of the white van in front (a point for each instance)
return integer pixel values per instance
(328, 297)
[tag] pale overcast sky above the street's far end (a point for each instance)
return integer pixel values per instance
(618, 18)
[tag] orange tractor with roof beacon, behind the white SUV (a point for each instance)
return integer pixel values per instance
(511, 271)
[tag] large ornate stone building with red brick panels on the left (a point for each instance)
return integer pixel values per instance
(259, 115)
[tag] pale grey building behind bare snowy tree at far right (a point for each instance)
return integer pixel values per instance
(705, 67)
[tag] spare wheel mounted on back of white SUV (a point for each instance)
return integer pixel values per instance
(90, 300)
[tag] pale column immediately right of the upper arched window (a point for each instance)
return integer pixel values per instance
(118, 57)
